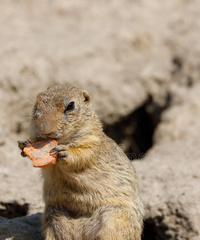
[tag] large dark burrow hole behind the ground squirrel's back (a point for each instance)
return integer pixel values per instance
(135, 132)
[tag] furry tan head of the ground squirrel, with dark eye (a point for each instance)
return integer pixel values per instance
(62, 112)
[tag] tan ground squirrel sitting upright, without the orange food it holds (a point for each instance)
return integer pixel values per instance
(92, 191)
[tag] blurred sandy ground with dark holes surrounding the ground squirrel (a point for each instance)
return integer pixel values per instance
(140, 61)
